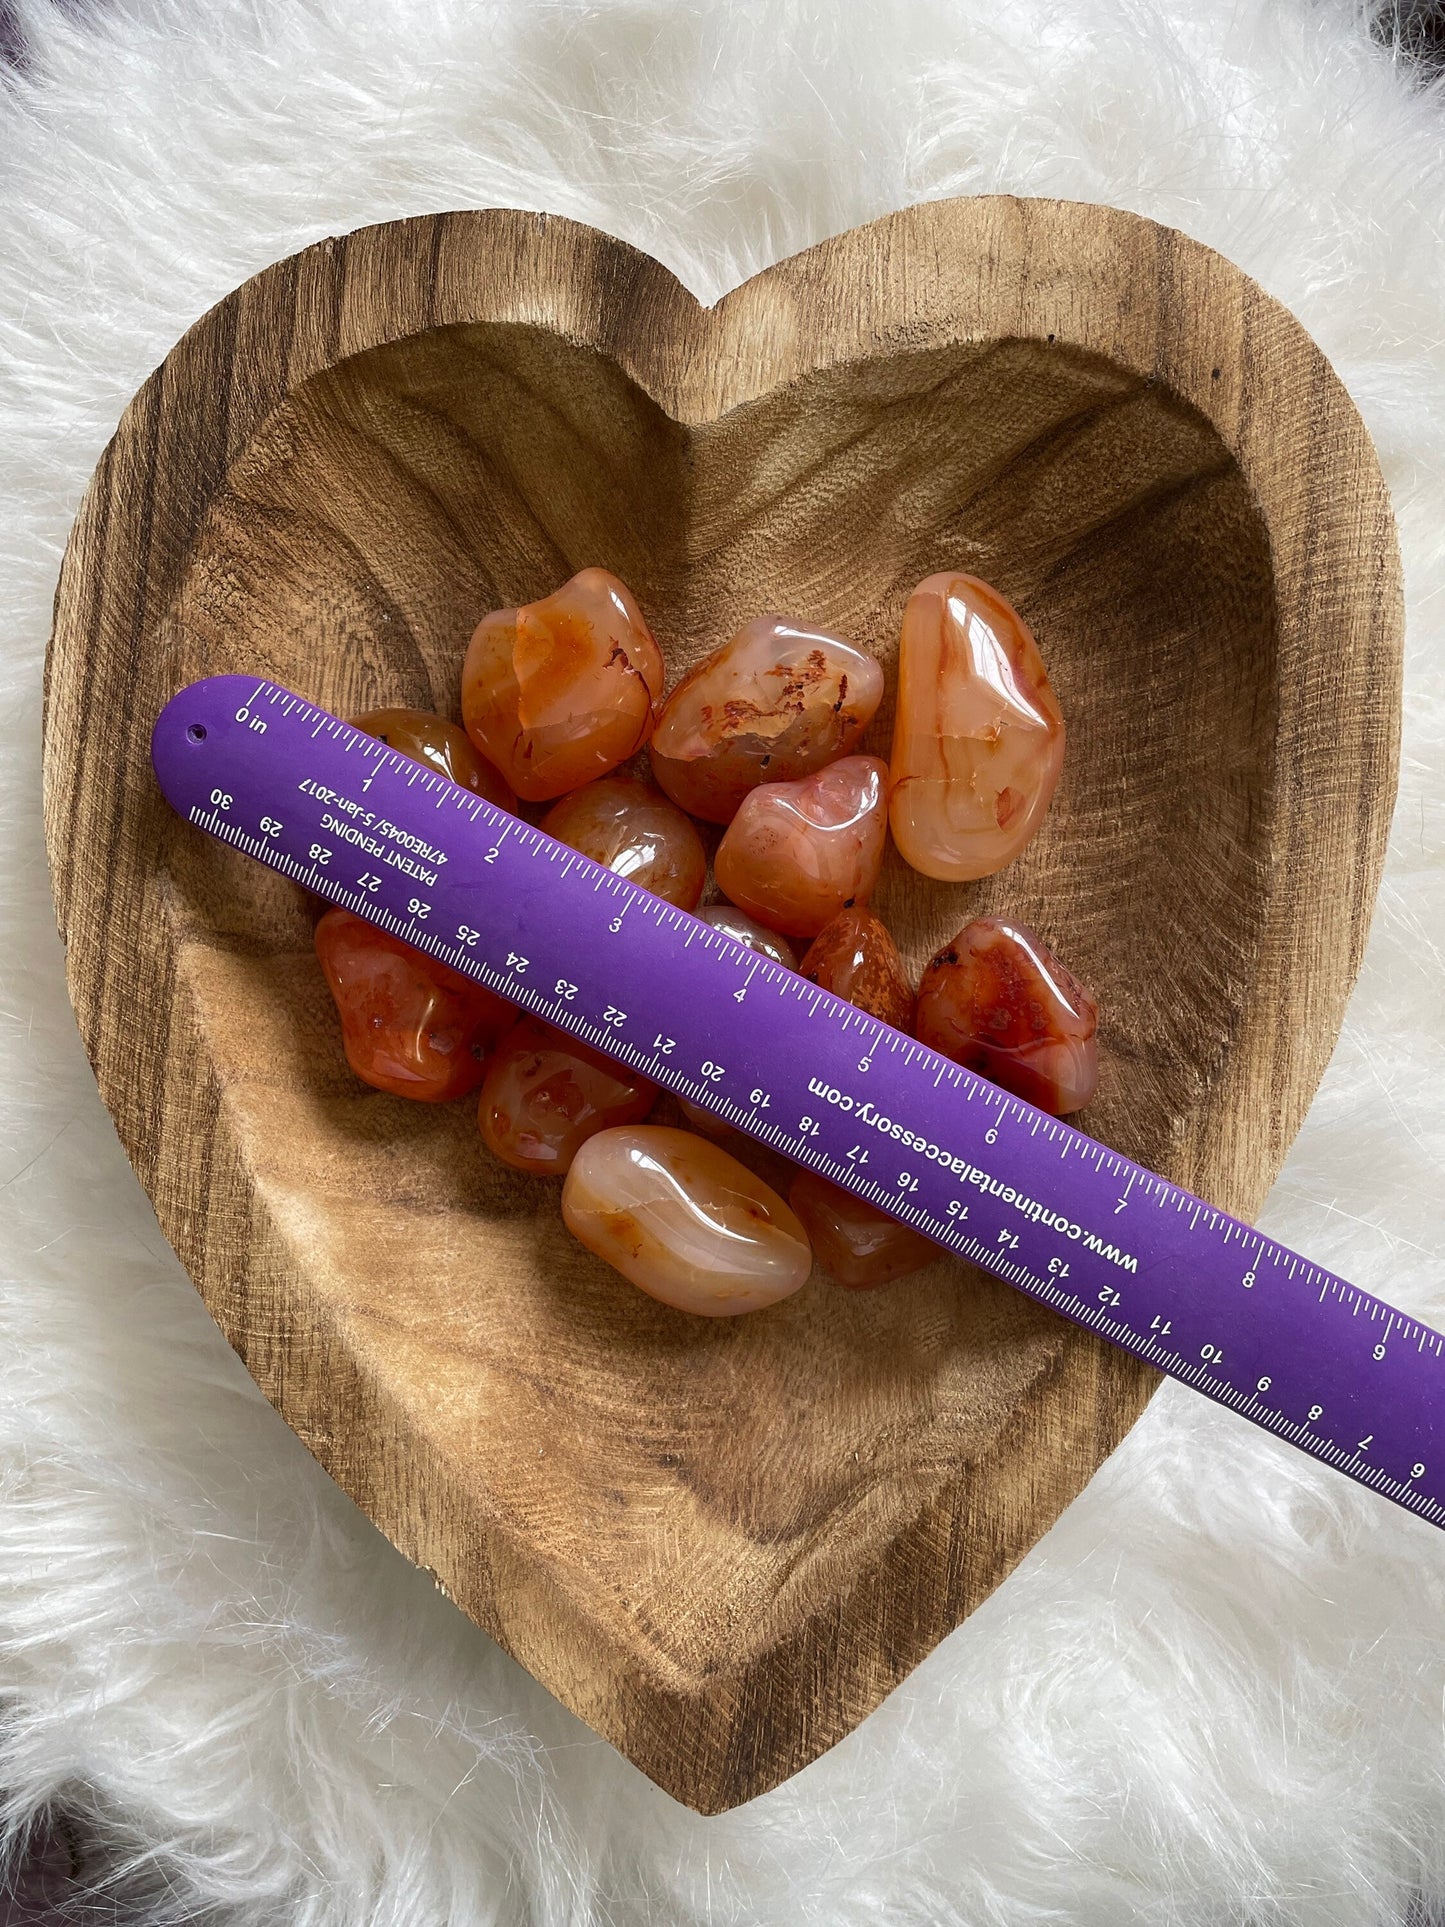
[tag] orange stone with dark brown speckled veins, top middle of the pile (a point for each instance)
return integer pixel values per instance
(775, 704)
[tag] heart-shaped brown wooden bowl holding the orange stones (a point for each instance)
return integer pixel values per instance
(723, 1543)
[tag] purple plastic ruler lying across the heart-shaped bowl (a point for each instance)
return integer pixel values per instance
(1039, 1205)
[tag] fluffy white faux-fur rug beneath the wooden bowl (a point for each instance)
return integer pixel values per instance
(1215, 1695)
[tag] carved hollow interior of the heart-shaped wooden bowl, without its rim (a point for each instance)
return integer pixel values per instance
(352, 552)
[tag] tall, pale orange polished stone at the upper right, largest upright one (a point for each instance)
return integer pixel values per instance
(978, 733)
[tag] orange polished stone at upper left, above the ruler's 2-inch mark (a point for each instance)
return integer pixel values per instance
(562, 691)
